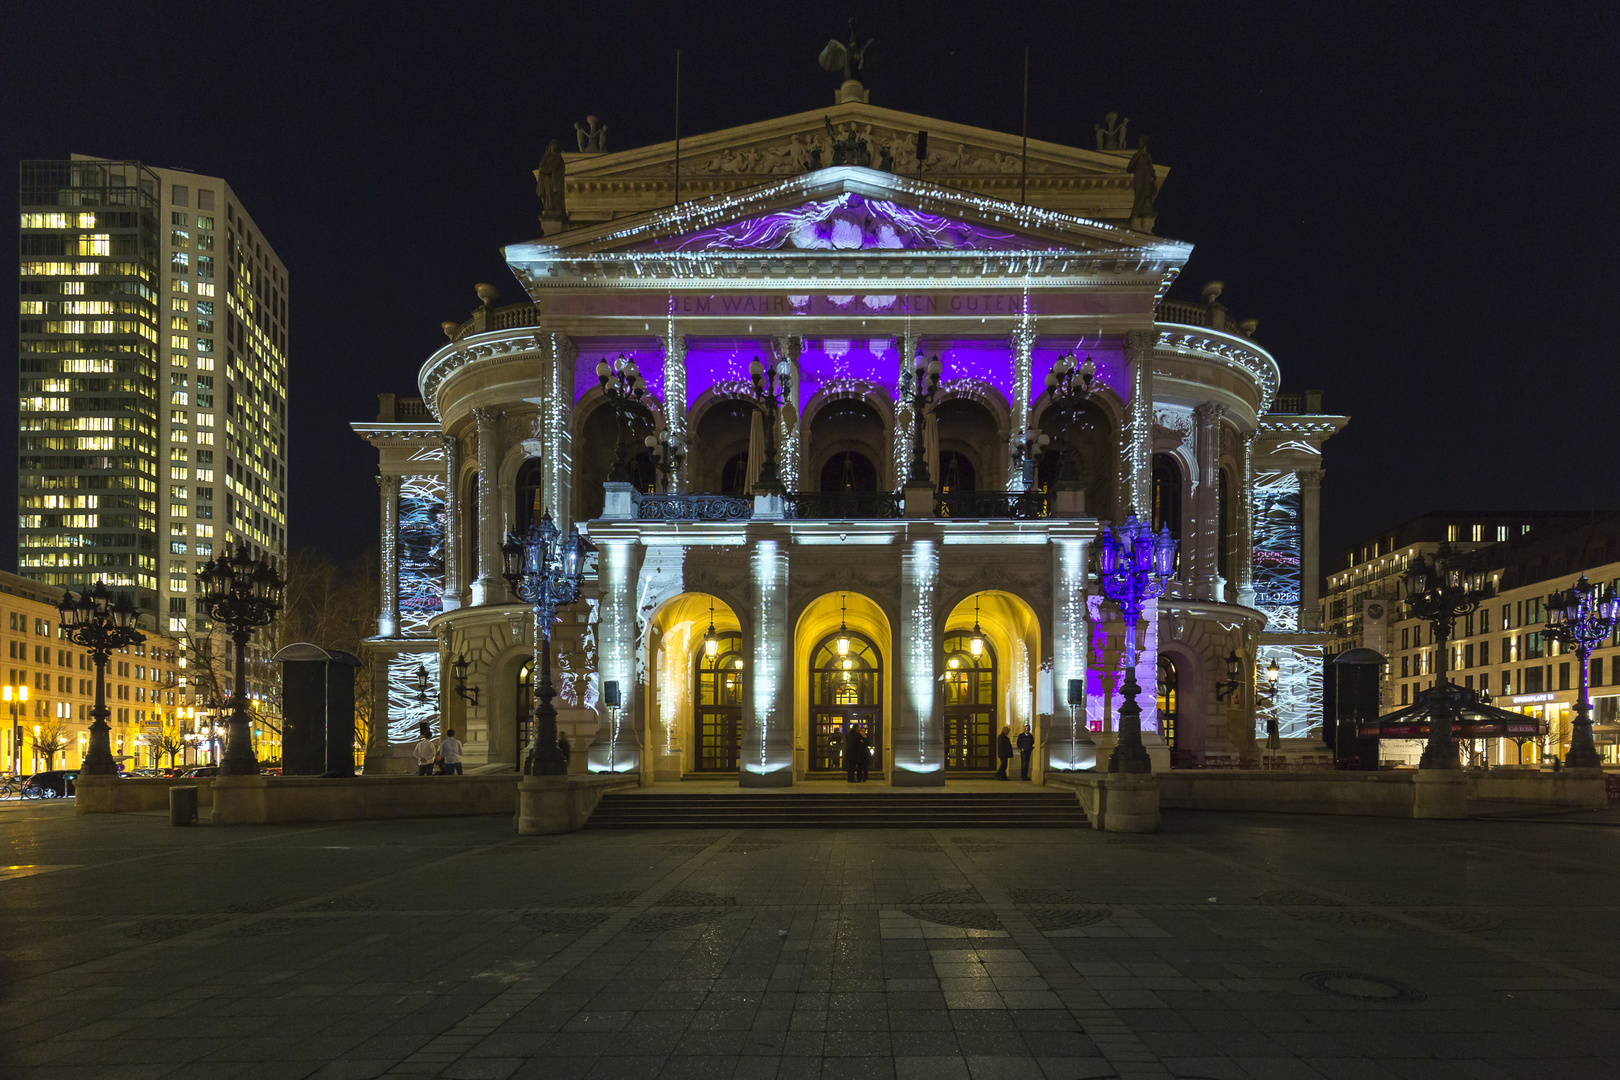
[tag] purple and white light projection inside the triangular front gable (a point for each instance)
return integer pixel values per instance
(846, 223)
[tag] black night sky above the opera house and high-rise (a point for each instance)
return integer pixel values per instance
(1417, 202)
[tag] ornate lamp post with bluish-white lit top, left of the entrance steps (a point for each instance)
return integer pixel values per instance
(547, 571)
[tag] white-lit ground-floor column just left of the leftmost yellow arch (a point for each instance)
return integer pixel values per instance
(616, 746)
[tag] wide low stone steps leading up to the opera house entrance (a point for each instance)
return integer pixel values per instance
(812, 810)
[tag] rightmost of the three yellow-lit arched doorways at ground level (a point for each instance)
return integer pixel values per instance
(989, 663)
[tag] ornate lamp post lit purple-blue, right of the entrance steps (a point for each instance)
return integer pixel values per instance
(1135, 566)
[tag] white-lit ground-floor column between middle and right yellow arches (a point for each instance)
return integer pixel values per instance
(918, 742)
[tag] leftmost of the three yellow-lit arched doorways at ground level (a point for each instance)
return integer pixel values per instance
(697, 689)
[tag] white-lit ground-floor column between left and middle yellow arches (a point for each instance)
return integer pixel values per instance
(769, 720)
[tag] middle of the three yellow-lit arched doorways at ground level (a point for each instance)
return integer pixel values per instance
(843, 657)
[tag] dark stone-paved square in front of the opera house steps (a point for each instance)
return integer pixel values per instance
(1226, 946)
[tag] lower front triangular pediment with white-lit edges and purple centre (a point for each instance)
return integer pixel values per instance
(846, 211)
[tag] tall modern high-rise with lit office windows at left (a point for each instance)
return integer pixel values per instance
(153, 399)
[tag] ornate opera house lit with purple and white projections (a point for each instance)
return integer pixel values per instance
(845, 593)
